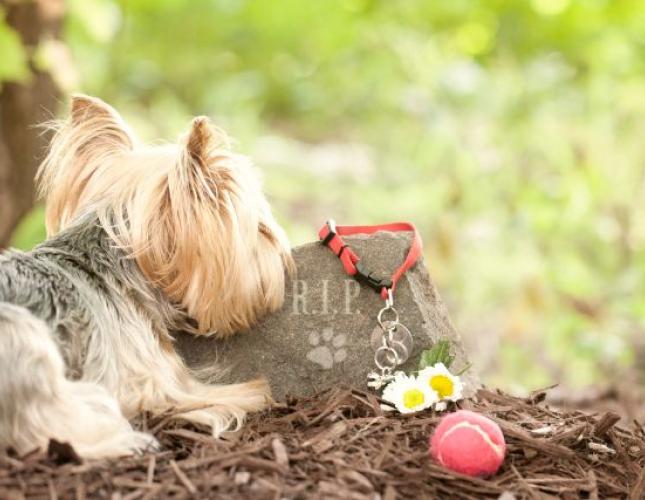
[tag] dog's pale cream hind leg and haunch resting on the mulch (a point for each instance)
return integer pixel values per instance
(38, 403)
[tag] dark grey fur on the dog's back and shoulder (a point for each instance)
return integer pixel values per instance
(72, 279)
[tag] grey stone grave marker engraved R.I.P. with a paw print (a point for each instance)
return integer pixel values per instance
(321, 336)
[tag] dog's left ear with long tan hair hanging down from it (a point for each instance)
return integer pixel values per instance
(93, 132)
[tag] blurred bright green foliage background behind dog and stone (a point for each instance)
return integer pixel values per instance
(510, 131)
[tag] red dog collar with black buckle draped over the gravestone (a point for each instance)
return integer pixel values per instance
(330, 236)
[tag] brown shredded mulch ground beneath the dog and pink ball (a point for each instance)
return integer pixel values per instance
(341, 445)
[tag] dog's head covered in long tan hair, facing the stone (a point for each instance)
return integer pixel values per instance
(192, 215)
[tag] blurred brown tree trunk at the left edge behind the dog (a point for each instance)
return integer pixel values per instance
(22, 106)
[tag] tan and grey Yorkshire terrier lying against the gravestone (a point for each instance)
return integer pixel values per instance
(143, 241)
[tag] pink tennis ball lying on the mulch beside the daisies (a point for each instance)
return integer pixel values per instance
(468, 443)
